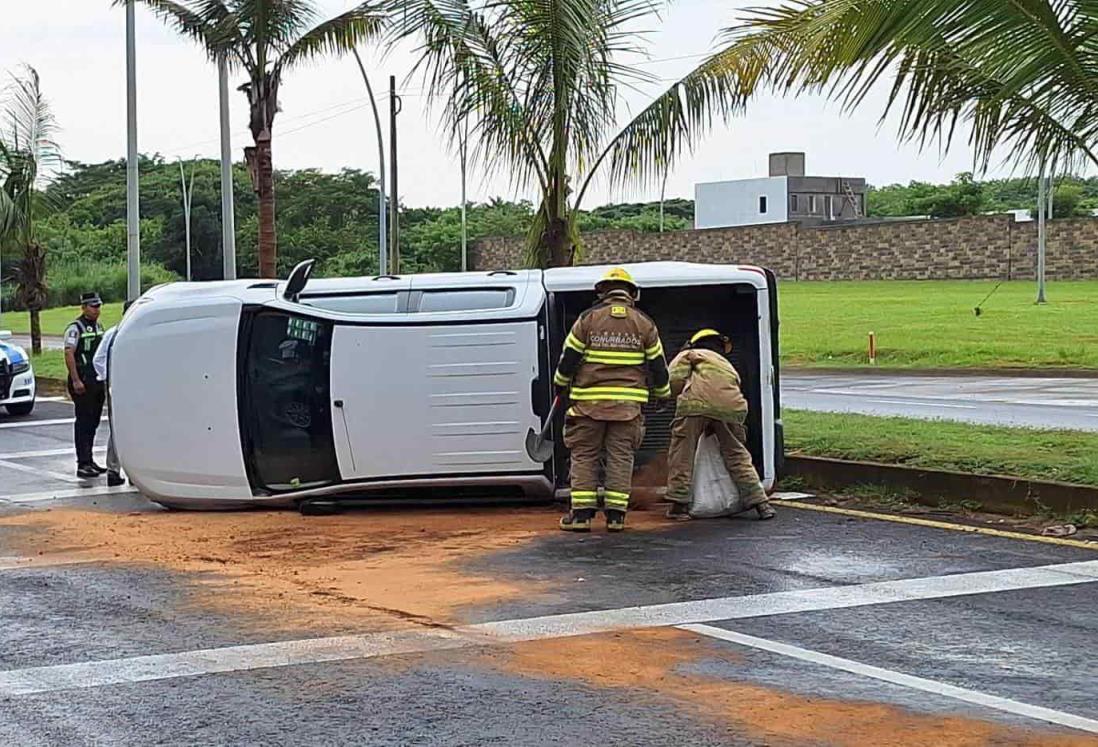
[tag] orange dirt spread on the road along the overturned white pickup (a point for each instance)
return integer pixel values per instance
(376, 568)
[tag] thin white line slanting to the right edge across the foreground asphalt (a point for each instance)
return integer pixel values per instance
(934, 687)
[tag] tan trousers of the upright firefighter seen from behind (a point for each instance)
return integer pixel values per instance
(590, 441)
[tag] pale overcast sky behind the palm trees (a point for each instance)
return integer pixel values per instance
(79, 49)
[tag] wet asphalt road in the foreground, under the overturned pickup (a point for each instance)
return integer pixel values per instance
(813, 629)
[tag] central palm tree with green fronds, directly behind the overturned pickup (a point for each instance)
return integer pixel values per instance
(536, 85)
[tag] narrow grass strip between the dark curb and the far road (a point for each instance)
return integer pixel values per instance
(1067, 456)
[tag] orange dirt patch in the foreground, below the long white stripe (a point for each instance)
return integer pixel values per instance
(655, 665)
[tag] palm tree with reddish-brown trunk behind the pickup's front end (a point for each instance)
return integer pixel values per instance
(266, 39)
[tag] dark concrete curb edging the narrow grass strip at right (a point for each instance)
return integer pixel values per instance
(994, 493)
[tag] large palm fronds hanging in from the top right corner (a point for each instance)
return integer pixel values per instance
(1019, 75)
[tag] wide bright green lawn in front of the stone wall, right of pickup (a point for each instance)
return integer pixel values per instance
(931, 325)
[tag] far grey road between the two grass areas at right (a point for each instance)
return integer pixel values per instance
(1034, 403)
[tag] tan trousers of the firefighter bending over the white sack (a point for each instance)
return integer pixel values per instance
(686, 433)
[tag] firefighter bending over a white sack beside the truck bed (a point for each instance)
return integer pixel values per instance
(710, 400)
